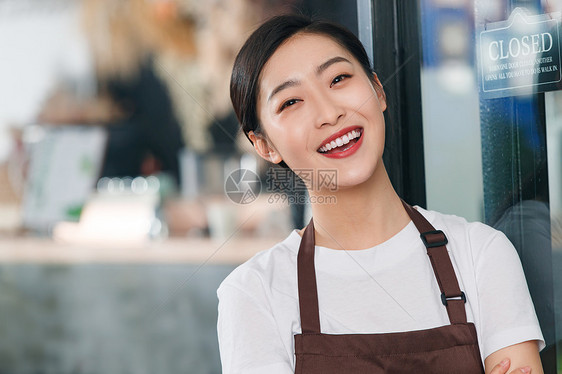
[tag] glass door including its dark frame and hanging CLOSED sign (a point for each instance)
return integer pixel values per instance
(480, 82)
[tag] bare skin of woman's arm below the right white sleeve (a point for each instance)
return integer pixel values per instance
(520, 356)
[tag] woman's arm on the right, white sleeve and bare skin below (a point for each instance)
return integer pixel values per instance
(508, 326)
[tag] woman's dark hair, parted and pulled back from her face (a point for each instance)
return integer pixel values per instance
(262, 44)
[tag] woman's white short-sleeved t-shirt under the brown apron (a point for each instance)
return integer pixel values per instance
(387, 288)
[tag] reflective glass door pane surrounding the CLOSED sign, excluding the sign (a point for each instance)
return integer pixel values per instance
(499, 148)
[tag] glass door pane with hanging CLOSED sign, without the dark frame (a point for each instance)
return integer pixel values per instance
(485, 69)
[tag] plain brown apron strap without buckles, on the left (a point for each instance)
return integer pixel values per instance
(308, 293)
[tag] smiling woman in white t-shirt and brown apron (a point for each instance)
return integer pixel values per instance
(356, 292)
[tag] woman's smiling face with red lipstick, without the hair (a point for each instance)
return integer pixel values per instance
(320, 111)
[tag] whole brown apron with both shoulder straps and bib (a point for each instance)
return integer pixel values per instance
(448, 349)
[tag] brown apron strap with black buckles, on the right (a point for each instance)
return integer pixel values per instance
(435, 240)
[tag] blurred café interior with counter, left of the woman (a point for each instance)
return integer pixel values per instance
(116, 139)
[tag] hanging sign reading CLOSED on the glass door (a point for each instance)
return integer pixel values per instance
(520, 56)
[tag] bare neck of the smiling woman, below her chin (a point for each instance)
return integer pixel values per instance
(359, 217)
